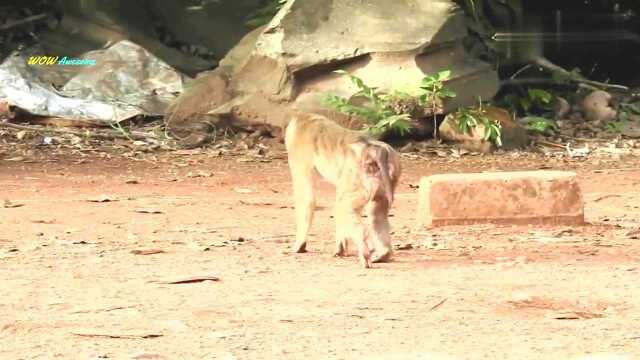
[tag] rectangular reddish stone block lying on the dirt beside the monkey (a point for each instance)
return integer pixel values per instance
(525, 197)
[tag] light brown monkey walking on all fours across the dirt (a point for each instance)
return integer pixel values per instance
(365, 173)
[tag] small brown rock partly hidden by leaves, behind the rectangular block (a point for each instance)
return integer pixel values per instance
(513, 135)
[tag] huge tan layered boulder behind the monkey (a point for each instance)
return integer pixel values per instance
(287, 66)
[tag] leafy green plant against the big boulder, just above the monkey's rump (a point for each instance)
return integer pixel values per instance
(379, 113)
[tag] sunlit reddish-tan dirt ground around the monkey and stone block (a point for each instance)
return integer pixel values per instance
(88, 279)
